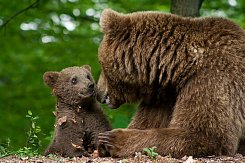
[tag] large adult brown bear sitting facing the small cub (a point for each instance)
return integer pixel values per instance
(188, 74)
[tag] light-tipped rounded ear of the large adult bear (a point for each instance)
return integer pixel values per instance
(113, 22)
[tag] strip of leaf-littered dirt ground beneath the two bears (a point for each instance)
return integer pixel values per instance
(139, 158)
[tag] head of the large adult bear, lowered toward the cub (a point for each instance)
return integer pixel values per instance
(121, 77)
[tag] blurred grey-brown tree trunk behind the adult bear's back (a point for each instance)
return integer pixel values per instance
(189, 8)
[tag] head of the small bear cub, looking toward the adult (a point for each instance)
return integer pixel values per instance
(73, 85)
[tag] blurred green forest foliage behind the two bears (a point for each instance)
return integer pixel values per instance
(55, 34)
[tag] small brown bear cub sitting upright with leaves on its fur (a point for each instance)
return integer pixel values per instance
(79, 119)
